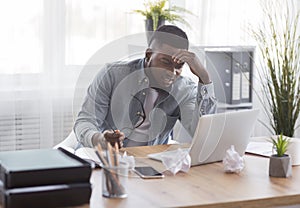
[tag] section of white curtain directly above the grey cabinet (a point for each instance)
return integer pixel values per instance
(223, 23)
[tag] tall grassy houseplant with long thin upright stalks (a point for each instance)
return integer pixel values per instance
(279, 45)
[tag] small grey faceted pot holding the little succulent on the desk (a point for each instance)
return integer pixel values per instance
(280, 166)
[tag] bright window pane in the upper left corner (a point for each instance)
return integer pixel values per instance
(21, 36)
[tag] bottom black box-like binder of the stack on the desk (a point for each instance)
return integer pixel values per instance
(50, 196)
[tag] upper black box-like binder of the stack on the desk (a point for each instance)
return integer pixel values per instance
(37, 167)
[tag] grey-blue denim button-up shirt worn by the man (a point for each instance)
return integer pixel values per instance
(110, 103)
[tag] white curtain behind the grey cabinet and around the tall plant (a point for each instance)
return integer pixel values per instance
(228, 23)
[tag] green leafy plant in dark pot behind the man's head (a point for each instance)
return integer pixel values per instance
(158, 11)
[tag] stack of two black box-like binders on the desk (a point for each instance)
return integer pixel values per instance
(43, 178)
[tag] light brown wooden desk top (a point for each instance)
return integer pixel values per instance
(203, 186)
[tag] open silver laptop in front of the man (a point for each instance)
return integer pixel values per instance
(214, 135)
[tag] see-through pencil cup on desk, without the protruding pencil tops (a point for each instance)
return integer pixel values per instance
(114, 181)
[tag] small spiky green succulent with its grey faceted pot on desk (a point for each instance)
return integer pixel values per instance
(280, 163)
